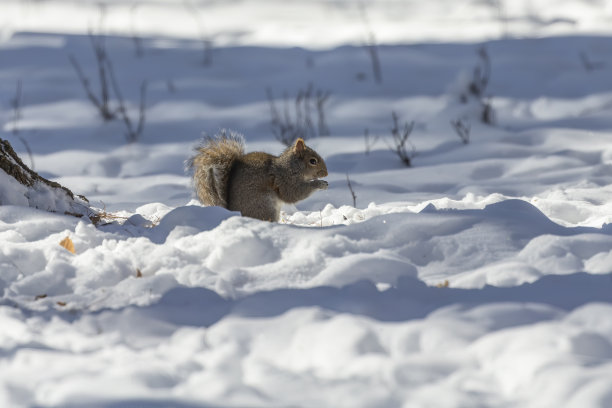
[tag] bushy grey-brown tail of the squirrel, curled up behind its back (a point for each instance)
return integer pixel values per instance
(212, 165)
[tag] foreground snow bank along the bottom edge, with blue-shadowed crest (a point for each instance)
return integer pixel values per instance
(193, 347)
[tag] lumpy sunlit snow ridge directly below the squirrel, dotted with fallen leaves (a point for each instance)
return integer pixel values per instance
(505, 244)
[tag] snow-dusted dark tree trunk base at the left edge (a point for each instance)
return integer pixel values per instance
(25, 187)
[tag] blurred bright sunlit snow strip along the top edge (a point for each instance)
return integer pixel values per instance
(313, 23)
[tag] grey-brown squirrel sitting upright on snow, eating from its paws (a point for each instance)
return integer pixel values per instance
(257, 183)
